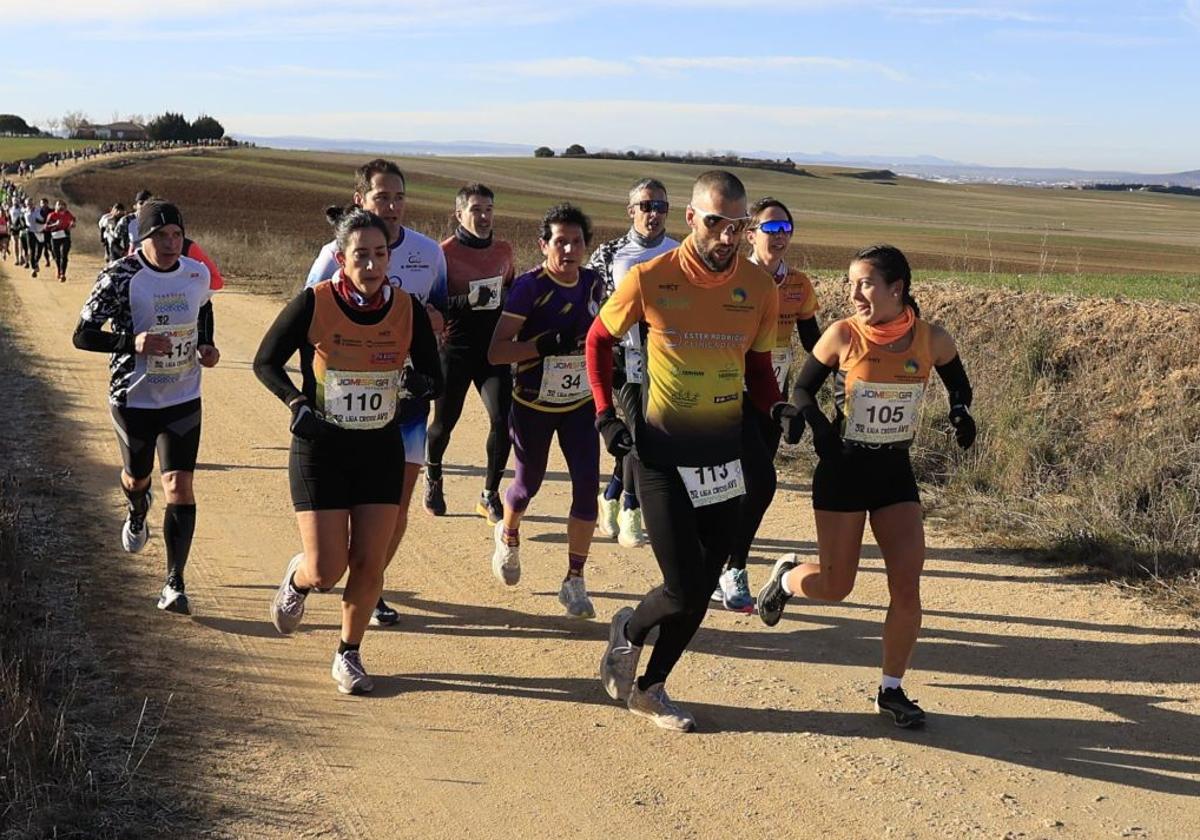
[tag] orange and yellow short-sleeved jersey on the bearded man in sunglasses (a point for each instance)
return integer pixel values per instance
(700, 327)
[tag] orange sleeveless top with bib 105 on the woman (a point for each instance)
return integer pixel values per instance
(878, 392)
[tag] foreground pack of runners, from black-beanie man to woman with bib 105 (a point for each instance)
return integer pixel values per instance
(677, 357)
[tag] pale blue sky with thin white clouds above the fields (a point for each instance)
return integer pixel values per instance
(1063, 83)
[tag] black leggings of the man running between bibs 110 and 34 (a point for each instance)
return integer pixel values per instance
(463, 368)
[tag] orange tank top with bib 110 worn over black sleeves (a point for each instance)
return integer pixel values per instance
(358, 367)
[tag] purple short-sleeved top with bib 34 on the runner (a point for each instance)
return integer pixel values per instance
(549, 307)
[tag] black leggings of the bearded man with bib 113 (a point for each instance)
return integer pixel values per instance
(691, 545)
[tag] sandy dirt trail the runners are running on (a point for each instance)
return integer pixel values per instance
(1059, 709)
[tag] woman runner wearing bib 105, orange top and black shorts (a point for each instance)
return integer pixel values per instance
(881, 359)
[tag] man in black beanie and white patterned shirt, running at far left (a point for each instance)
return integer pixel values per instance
(163, 333)
